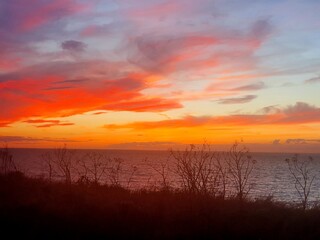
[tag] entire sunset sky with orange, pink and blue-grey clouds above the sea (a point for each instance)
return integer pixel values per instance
(153, 74)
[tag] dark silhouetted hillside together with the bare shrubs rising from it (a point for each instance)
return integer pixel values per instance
(86, 208)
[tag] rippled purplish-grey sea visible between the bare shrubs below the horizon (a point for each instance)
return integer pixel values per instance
(139, 169)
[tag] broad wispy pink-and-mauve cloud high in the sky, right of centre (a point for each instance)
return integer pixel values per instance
(221, 50)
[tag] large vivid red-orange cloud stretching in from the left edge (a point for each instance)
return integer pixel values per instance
(44, 94)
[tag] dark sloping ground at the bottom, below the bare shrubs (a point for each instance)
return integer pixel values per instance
(37, 209)
